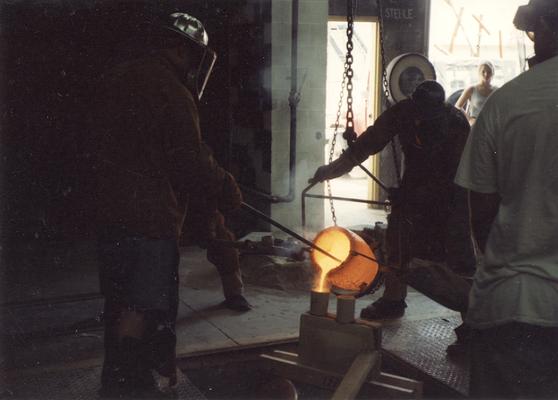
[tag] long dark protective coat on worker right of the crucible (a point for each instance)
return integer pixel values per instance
(426, 199)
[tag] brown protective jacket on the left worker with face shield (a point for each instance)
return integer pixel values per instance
(148, 152)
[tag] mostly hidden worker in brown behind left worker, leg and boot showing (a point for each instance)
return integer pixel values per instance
(205, 221)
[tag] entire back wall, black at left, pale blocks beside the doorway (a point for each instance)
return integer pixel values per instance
(52, 52)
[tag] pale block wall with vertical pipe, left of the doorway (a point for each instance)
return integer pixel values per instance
(312, 42)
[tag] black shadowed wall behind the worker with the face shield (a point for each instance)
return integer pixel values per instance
(52, 52)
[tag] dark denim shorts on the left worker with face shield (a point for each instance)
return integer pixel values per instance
(138, 272)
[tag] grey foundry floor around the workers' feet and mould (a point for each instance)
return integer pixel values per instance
(42, 338)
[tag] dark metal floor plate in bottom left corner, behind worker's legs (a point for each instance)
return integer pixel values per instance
(74, 384)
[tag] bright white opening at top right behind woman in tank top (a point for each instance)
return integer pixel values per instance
(464, 33)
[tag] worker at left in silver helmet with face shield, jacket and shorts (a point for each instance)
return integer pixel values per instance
(149, 160)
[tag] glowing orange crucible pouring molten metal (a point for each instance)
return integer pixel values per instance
(354, 272)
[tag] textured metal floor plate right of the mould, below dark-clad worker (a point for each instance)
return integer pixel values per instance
(421, 345)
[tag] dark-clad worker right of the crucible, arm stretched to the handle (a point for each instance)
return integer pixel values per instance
(432, 134)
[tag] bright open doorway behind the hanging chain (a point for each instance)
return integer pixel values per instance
(366, 91)
